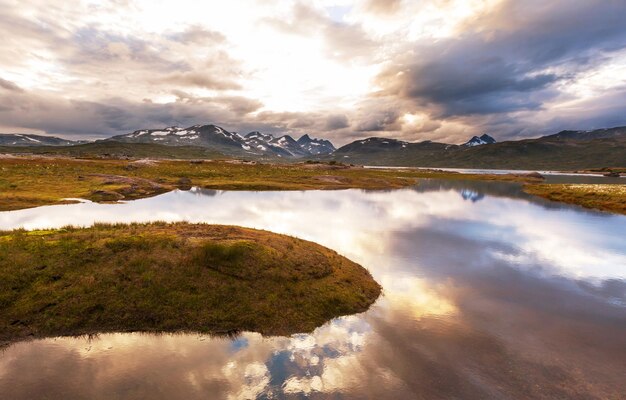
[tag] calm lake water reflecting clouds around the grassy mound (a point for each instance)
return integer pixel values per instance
(488, 293)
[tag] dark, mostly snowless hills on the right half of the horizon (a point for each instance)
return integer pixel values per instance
(564, 150)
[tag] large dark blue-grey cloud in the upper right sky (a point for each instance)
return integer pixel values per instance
(494, 68)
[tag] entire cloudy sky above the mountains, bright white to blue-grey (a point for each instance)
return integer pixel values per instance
(411, 69)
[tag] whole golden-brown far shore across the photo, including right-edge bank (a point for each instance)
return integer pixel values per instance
(27, 182)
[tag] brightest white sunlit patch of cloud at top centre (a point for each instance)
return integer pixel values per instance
(289, 72)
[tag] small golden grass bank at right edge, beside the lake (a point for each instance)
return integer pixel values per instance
(603, 197)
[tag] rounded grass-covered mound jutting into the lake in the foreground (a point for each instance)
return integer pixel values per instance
(172, 278)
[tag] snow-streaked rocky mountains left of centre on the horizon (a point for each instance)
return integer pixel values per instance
(231, 143)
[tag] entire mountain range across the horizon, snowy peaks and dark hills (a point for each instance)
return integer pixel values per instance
(563, 150)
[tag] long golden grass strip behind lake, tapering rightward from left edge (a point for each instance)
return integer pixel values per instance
(35, 181)
